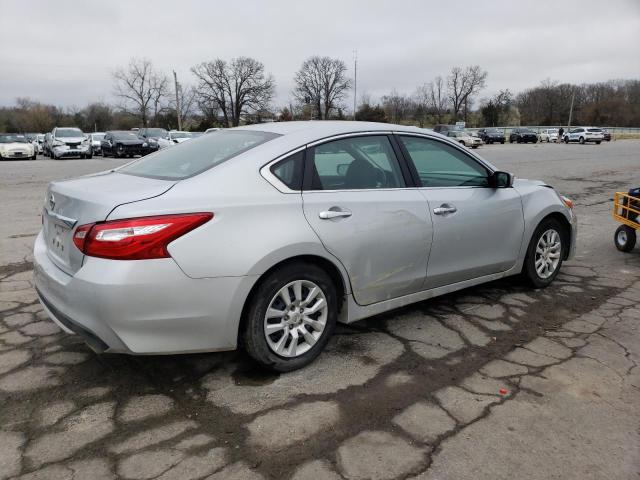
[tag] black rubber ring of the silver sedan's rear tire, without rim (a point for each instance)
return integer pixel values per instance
(253, 336)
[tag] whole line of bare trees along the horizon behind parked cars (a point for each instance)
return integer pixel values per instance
(228, 93)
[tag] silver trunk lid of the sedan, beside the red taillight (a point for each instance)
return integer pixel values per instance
(71, 203)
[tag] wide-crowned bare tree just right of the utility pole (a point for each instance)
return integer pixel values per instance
(233, 88)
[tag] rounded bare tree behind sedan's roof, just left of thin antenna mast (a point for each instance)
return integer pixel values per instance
(322, 82)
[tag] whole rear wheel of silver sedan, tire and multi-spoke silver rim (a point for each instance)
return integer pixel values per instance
(291, 317)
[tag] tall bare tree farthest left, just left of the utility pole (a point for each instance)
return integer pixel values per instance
(141, 89)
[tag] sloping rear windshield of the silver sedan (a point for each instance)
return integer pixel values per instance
(187, 159)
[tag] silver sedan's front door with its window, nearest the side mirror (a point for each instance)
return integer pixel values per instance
(477, 230)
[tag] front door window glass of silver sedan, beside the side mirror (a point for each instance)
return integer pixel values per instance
(442, 165)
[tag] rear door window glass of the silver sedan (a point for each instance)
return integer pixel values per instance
(355, 163)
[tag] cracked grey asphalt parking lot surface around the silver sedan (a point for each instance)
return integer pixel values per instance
(497, 381)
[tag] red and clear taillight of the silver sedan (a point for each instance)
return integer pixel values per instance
(135, 238)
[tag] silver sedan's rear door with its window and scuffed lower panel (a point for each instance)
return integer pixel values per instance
(357, 201)
